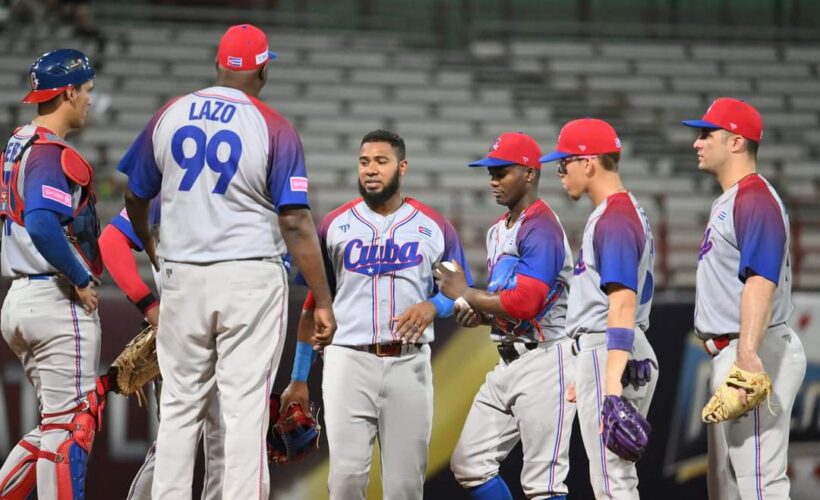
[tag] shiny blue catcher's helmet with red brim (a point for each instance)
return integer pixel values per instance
(53, 72)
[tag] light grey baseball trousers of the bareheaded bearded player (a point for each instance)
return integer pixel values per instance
(368, 397)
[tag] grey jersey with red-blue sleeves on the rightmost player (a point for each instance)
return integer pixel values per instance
(747, 234)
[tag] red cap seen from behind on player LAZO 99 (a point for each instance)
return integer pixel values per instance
(243, 47)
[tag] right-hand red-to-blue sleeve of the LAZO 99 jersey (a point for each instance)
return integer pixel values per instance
(287, 175)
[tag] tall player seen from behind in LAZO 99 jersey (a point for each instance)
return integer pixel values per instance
(230, 172)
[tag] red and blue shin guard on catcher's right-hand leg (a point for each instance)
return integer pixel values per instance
(71, 457)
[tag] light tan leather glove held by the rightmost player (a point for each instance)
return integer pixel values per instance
(725, 403)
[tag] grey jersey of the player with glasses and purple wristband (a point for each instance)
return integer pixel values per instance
(617, 248)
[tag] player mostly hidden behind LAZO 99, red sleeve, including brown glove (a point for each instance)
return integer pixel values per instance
(137, 365)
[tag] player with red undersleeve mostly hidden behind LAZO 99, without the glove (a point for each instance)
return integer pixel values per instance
(116, 244)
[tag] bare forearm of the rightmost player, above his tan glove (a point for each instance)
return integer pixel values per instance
(755, 314)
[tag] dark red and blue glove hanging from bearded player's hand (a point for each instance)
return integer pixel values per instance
(293, 434)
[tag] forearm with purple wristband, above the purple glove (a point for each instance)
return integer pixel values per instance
(620, 335)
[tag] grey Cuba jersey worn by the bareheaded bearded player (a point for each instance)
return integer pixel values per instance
(379, 266)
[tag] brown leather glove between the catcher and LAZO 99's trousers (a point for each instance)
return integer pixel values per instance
(136, 365)
